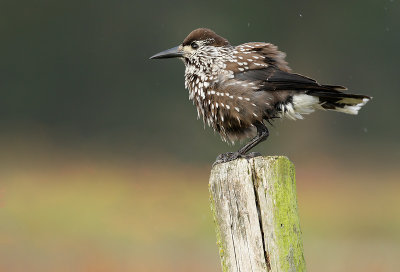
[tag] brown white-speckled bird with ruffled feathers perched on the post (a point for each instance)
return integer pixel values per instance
(238, 89)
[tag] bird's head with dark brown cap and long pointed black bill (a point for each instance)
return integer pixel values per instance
(201, 42)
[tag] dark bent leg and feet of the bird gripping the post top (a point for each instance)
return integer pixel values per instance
(262, 135)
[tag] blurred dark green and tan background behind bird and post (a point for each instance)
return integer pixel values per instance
(104, 167)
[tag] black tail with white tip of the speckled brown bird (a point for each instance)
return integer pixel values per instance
(331, 98)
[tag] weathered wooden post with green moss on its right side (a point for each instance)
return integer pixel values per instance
(254, 205)
